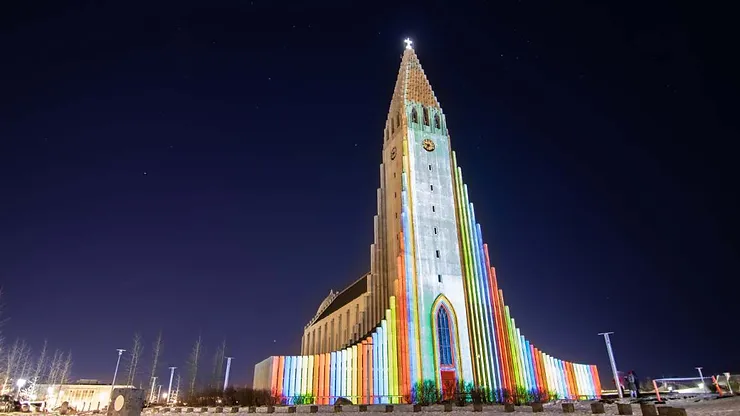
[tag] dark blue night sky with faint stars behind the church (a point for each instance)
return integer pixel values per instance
(210, 167)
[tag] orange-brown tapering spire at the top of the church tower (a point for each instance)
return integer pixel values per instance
(412, 84)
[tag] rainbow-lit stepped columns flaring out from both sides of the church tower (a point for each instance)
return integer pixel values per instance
(385, 366)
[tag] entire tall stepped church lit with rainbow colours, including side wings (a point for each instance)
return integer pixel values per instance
(430, 308)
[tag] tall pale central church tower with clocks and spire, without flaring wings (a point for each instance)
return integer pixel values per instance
(420, 247)
